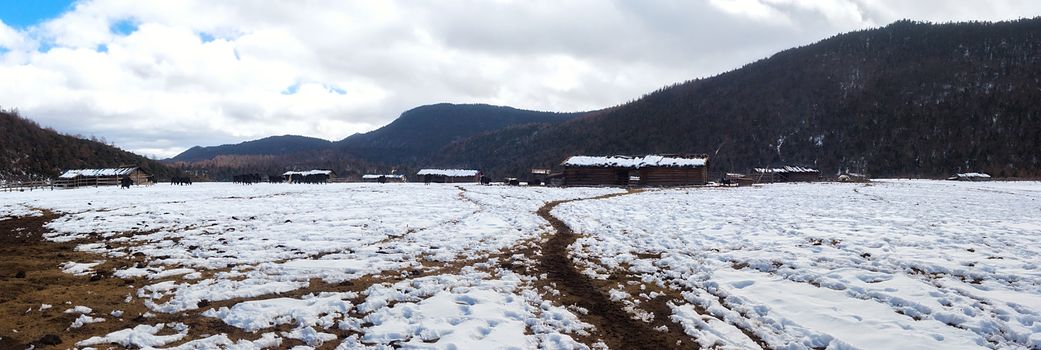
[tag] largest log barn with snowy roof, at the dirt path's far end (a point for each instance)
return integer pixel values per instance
(652, 170)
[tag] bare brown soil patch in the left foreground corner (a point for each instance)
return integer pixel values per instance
(31, 278)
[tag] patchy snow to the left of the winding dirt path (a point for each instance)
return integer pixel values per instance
(250, 244)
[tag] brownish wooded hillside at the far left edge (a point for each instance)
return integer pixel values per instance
(29, 152)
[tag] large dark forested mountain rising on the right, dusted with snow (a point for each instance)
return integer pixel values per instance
(909, 99)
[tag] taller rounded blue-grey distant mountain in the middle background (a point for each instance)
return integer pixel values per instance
(421, 133)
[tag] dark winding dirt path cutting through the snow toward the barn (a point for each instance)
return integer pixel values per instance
(616, 327)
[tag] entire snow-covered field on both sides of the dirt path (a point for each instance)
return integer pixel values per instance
(892, 265)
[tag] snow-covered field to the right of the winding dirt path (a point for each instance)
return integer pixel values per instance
(894, 265)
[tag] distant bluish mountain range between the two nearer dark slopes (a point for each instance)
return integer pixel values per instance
(403, 145)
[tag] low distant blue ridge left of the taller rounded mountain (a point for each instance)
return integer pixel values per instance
(266, 146)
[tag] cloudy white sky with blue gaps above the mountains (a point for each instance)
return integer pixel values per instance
(158, 78)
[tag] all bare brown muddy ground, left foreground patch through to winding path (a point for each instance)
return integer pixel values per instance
(31, 277)
